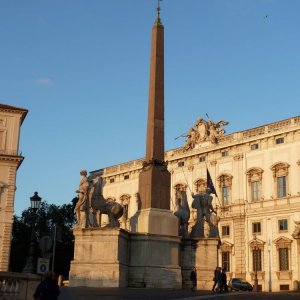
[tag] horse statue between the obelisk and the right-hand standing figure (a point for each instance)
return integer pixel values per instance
(183, 214)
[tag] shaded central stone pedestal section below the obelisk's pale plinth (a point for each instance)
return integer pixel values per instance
(154, 261)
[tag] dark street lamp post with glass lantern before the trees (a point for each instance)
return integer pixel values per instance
(31, 261)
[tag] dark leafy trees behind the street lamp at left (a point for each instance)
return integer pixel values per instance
(48, 216)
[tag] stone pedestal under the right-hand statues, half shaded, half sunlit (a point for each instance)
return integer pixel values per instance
(200, 253)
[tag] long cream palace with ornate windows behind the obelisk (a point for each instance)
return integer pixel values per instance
(256, 174)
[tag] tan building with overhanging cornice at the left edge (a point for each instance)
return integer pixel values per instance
(11, 119)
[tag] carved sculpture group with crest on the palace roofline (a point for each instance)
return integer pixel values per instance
(203, 131)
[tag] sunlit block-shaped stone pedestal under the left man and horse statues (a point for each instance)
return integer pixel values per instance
(100, 258)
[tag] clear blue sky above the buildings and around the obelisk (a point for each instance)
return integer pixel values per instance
(81, 68)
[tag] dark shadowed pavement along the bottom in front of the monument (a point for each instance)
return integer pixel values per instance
(69, 293)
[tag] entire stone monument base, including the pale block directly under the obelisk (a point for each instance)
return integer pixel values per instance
(105, 257)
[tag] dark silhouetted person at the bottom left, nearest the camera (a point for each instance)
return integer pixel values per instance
(47, 289)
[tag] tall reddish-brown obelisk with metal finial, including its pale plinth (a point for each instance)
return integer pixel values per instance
(155, 179)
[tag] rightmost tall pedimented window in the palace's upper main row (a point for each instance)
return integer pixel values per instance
(280, 175)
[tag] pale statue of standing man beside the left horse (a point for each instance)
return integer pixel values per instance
(81, 205)
